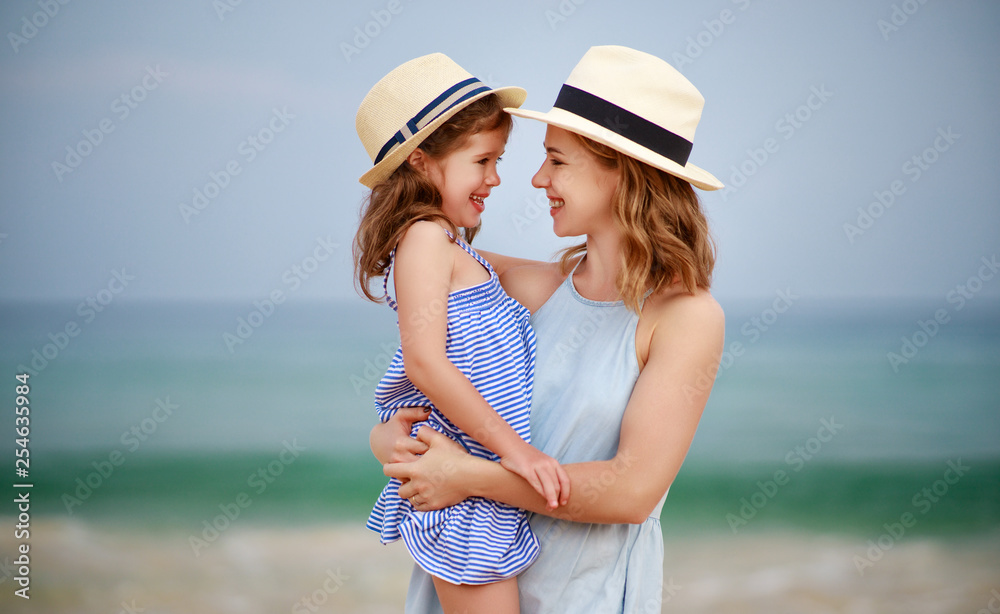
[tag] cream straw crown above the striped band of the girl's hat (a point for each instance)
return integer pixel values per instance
(401, 94)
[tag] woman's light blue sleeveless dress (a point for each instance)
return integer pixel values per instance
(584, 374)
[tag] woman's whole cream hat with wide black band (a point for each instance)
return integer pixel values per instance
(635, 103)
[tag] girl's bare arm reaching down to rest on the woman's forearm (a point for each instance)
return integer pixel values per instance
(424, 264)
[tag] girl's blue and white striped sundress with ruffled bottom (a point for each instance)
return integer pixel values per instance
(477, 541)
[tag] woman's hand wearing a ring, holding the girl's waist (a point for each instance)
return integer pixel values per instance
(434, 480)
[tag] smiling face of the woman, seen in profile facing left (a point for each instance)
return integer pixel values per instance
(578, 186)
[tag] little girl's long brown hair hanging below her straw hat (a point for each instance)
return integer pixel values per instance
(407, 196)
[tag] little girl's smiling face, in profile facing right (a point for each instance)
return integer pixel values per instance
(465, 176)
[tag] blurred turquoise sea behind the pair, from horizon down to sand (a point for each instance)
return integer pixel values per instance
(813, 396)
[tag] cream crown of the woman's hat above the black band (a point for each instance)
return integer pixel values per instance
(642, 84)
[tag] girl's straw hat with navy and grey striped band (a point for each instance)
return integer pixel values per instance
(409, 103)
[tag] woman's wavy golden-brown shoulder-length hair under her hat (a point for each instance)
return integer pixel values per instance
(665, 236)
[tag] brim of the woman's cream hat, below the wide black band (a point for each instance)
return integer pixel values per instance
(698, 177)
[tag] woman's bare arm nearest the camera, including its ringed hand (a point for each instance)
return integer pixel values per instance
(657, 429)
